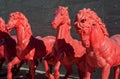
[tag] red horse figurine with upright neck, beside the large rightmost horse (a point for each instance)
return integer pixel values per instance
(68, 51)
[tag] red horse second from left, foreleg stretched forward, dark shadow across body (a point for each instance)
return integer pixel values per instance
(28, 47)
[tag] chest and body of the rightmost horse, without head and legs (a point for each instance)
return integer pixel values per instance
(106, 54)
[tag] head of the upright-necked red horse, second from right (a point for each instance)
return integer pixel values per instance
(61, 16)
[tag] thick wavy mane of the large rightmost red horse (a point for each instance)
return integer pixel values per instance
(89, 14)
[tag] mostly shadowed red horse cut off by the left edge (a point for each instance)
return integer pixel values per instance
(7, 44)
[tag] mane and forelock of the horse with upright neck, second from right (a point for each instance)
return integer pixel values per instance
(64, 11)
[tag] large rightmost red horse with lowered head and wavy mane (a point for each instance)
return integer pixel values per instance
(102, 52)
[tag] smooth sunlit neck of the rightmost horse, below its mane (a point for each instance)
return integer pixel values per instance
(97, 38)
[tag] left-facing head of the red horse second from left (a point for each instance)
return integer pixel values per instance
(16, 19)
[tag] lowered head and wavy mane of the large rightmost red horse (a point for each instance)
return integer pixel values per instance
(89, 26)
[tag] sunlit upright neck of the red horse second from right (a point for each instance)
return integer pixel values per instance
(64, 32)
